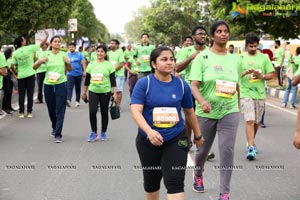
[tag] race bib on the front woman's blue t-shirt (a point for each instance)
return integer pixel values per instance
(165, 117)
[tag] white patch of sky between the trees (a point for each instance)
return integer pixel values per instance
(114, 14)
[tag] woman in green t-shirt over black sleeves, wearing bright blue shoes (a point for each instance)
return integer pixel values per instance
(100, 81)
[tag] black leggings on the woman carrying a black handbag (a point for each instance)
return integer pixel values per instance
(94, 100)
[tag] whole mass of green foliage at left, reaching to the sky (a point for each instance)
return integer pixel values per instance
(27, 16)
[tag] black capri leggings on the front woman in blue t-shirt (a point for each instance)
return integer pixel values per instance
(167, 161)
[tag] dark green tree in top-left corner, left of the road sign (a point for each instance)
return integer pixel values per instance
(27, 16)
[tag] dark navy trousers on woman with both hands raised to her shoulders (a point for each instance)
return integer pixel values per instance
(56, 100)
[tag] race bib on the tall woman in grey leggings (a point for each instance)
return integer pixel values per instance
(225, 88)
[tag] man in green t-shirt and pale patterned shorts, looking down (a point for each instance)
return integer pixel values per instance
(257, 68)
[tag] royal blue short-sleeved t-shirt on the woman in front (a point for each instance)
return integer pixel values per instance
(154, 93)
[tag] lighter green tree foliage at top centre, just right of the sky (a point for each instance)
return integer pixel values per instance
(169, 21)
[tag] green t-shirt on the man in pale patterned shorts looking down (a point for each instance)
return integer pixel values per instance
(250, 86)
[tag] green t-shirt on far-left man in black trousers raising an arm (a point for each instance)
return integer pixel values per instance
(23, 58)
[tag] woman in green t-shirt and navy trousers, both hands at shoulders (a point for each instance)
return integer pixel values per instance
(55, 85)
